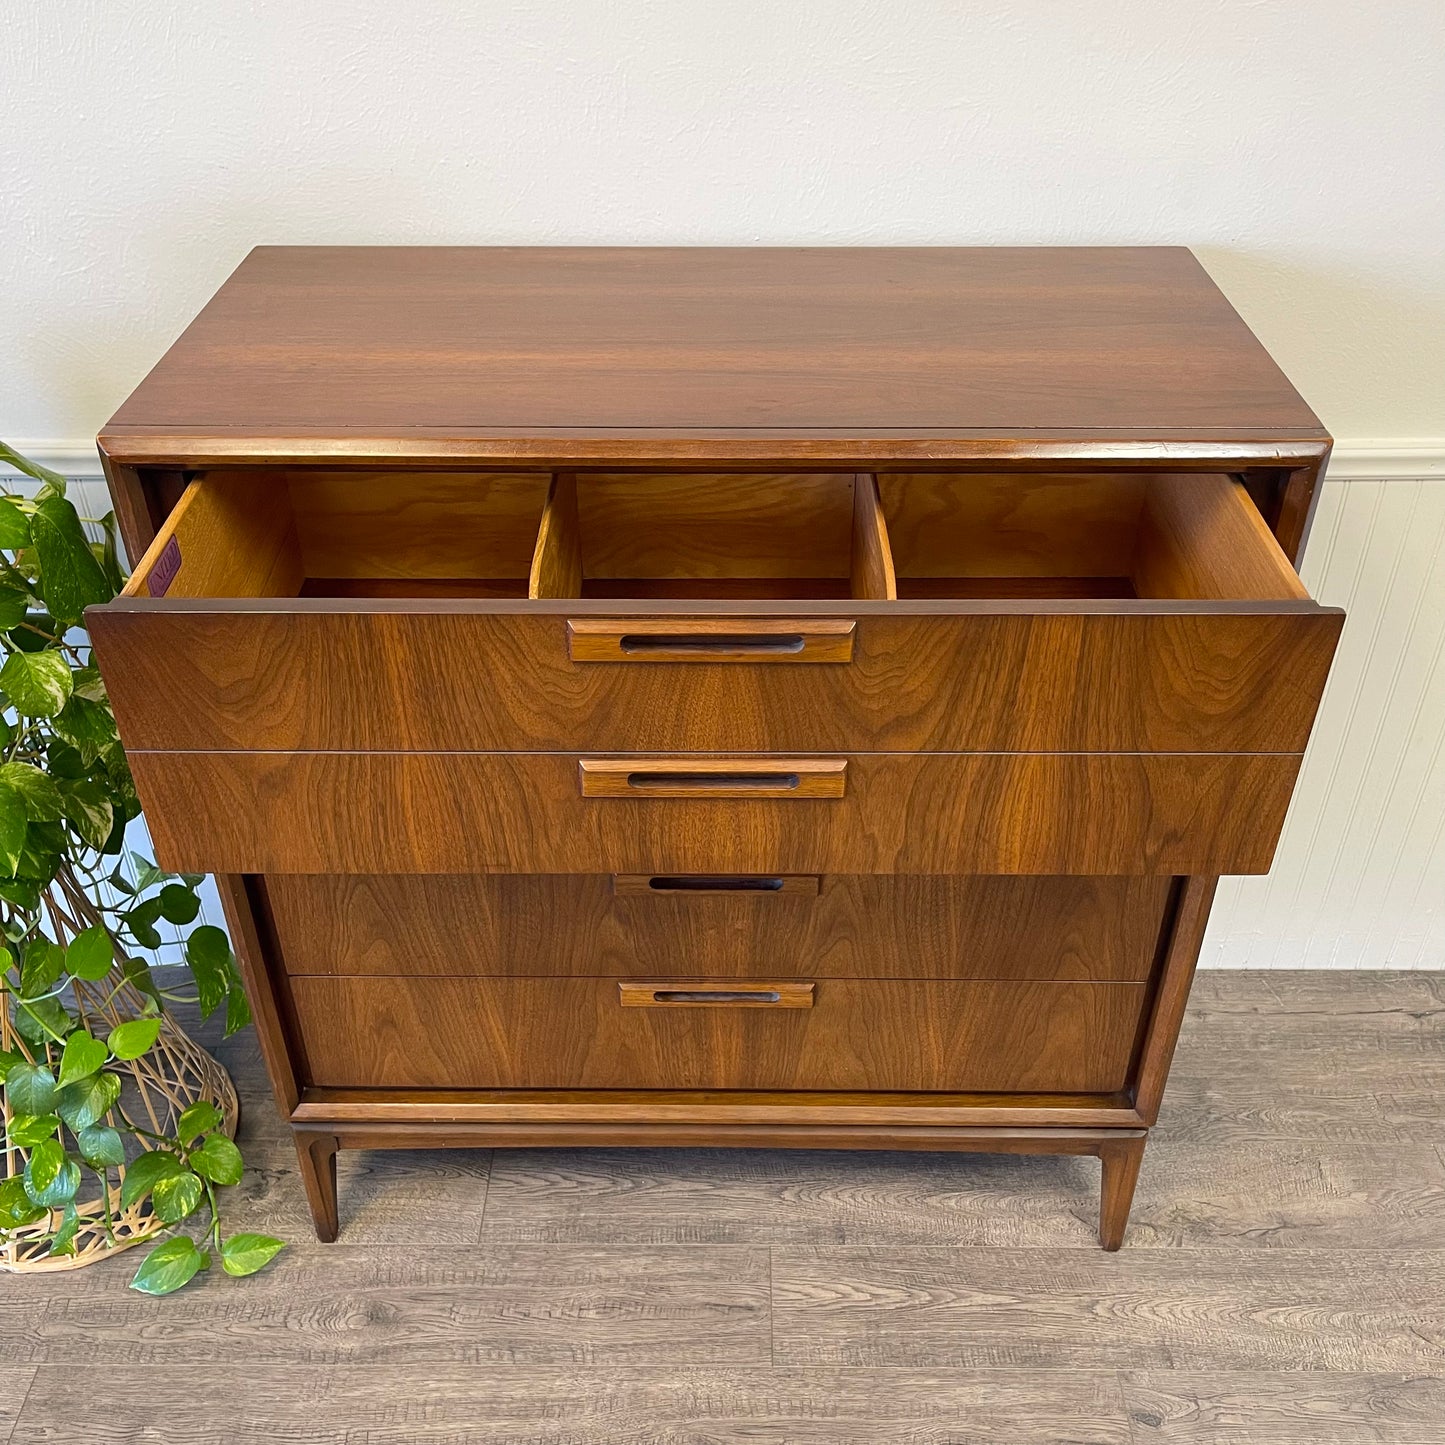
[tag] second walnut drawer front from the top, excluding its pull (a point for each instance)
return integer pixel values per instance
(488, 813)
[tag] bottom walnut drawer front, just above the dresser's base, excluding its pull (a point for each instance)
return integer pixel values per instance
(856, 1035)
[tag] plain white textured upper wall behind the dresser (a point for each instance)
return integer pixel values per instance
(1298, 147)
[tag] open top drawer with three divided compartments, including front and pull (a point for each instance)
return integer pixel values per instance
(300, 612)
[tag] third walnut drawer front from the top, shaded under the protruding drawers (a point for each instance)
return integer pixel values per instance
(842, 927)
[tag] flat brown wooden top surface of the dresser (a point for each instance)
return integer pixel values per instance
(332, 349)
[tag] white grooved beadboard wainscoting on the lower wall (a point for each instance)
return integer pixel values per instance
(1359, 881)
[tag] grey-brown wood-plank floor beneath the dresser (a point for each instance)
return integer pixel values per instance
(1284, 1280)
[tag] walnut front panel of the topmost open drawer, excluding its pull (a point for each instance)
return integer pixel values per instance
(934, 677)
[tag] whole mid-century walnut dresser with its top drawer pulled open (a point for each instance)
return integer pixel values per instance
(790, 699)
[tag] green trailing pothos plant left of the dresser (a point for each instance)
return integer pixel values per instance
(80, 917)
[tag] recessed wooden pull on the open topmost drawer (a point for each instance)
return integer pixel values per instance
(710, 639)
